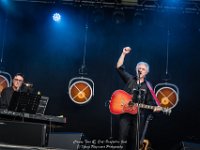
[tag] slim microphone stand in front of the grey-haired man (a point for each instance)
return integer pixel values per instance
(138, 114)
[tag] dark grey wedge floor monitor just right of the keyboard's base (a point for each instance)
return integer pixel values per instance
(65, 140)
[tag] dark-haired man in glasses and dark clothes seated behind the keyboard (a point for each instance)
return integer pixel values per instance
(7, 93)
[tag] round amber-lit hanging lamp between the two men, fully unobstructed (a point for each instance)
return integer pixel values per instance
(81, 90)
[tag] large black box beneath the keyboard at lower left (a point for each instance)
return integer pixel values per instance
(22, 133)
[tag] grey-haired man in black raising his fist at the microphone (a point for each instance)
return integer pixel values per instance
(128, 122)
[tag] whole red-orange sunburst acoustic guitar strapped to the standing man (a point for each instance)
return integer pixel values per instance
(121, 102)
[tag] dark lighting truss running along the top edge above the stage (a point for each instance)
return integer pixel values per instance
(185, 5)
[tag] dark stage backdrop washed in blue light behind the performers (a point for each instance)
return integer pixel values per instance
(50, 55)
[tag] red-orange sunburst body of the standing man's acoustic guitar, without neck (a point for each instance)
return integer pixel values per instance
(120, 103)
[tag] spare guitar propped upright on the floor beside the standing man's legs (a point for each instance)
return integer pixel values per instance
(144, 143)
